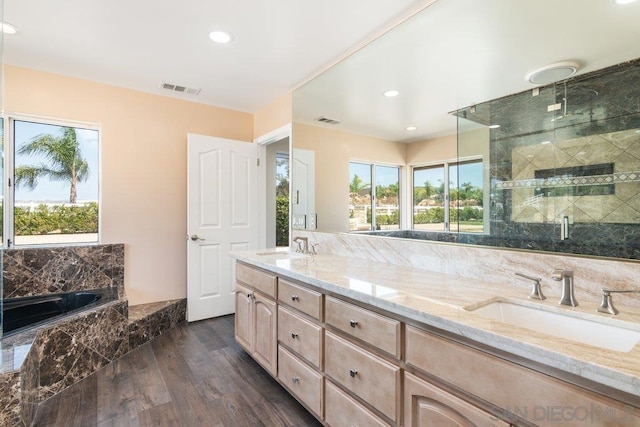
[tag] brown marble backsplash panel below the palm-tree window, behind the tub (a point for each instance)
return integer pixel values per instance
(37, 271)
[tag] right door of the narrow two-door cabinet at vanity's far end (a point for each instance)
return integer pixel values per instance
(265, 334)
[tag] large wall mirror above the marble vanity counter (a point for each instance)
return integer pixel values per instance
(433, 130)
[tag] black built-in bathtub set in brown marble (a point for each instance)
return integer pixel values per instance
(22, 314)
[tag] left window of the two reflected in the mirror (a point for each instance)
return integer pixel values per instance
(374, 207)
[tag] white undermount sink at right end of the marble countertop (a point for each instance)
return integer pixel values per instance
(568, 326)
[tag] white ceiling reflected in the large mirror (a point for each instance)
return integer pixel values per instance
(457, 53)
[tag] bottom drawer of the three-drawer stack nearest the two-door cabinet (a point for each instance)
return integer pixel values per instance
(302, 381)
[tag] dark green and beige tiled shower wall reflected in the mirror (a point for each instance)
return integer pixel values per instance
(584, 122)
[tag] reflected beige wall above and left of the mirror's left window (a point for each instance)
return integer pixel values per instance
(333, 151)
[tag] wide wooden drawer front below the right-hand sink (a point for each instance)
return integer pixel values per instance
(505, 384)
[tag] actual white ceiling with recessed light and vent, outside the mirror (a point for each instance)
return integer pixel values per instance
(139, 43)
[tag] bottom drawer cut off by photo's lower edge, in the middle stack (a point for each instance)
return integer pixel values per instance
(342, 410)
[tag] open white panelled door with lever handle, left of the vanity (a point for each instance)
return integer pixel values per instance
(222, 216)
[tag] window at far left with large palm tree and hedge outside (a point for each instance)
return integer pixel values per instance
(52, 188)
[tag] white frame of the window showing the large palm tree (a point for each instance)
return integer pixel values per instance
(8, 183)
